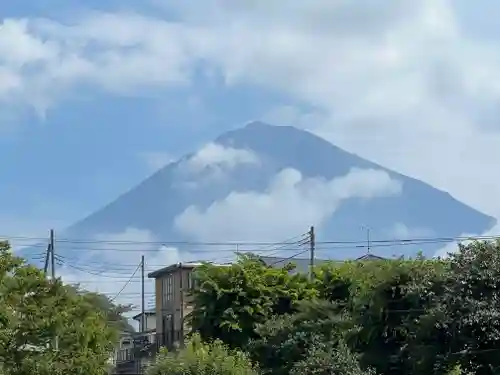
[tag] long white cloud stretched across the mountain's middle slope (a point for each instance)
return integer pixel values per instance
(289, 206)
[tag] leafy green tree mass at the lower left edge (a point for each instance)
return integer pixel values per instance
(46, 327)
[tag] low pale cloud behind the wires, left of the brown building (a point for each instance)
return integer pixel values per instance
(108, 261)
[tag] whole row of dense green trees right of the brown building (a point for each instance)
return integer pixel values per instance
(404, 316)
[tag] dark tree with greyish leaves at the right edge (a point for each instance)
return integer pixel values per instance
(464, 327)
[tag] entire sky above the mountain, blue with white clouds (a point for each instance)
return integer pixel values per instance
(135, 85)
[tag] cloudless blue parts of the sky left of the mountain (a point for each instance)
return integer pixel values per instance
(86, 150)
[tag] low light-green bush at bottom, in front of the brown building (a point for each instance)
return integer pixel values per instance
(199, 358)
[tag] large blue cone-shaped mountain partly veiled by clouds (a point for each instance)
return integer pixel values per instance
(268, 183)
